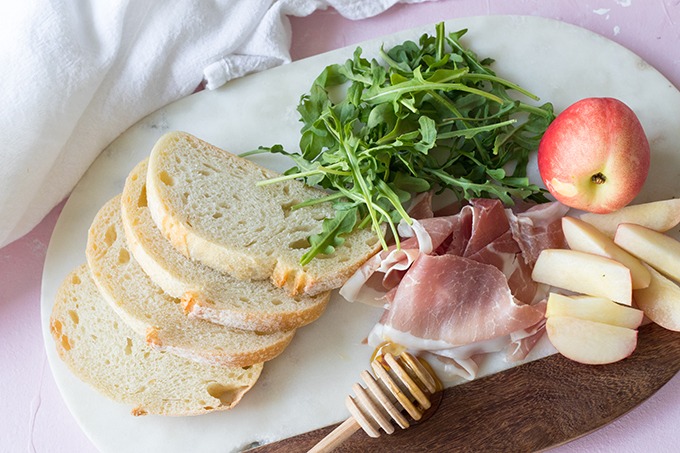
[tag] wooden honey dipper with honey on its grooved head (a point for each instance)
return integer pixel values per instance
(397, 381)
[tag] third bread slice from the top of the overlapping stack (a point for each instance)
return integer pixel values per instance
(159, 317)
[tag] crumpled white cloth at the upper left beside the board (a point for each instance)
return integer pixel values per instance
(77, 73)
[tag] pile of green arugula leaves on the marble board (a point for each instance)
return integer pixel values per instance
(433, 117)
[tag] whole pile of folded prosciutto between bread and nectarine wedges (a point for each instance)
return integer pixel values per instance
(468, 291)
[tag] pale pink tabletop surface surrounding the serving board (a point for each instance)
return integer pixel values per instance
(34, 417)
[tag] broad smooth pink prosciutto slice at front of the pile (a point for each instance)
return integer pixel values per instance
(458, 301)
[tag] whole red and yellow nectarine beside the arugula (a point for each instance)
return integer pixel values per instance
(595, 155)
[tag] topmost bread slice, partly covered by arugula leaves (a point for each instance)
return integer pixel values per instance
(206, 202)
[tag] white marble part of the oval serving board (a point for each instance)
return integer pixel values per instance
(303, 389)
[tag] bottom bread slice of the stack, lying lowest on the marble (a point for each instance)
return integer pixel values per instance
(104, 352)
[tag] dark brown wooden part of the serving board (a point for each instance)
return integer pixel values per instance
(533, 407)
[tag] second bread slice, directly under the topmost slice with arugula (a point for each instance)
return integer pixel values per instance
(205, 292)
